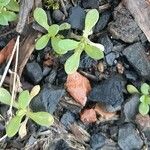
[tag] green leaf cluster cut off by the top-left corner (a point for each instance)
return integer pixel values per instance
(8, 10)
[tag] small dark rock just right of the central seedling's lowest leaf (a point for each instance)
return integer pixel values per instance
(87, 62)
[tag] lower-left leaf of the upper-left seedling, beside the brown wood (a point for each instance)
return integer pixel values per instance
(42, 42)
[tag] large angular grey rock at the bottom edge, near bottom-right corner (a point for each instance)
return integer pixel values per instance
(128, 138)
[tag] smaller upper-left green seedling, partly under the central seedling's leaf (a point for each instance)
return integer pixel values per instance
(52, 31)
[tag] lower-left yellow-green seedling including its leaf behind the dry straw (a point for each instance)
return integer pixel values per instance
(23, 111)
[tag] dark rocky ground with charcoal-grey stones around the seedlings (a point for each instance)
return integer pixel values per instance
(126, 61)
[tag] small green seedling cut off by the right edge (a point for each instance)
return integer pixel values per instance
(144, 92)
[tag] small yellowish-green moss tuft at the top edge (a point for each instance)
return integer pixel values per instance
(54, 4)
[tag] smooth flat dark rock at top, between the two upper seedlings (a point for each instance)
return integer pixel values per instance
(76, 18)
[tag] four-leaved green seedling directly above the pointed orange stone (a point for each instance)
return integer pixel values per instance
(94, 50)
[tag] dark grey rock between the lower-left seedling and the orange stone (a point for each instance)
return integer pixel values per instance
(47, 99)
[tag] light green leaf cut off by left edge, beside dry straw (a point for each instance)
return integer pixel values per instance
(5, 96)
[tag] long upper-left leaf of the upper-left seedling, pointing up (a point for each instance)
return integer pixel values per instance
(41, 18)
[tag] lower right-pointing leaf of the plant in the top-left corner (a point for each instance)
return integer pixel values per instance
(11, 16)
